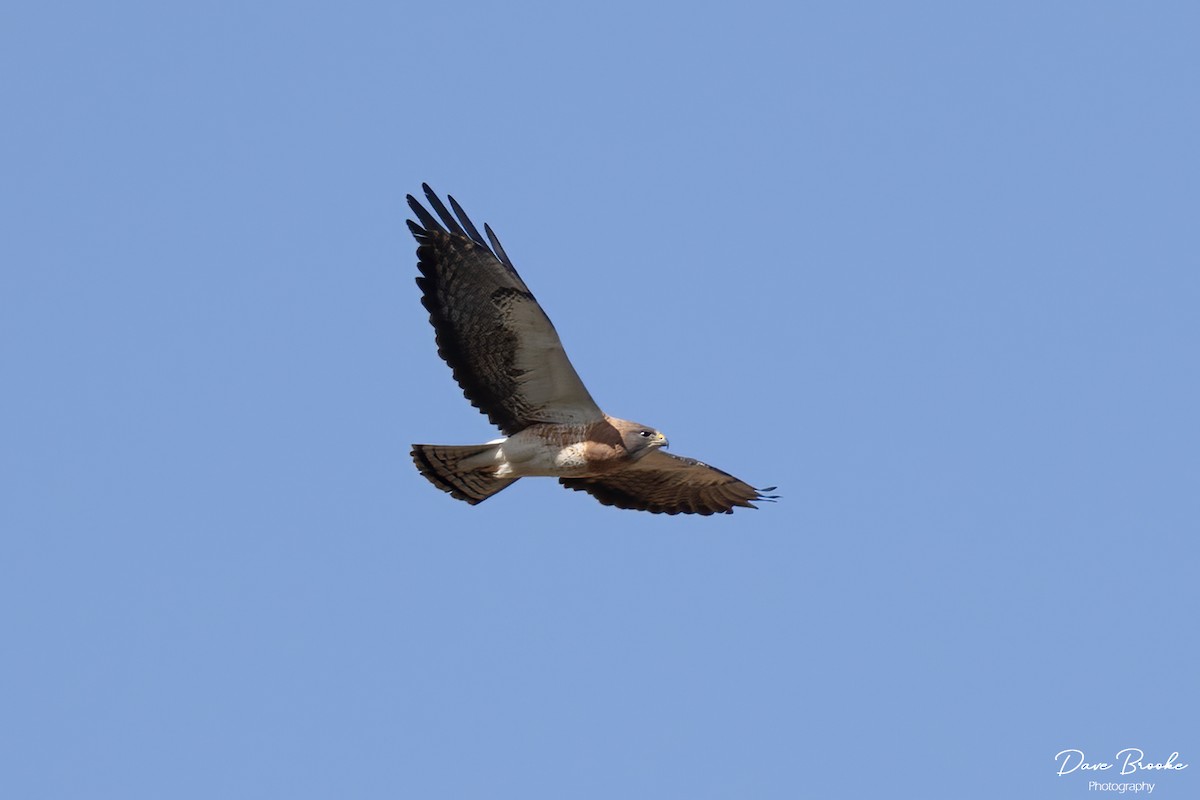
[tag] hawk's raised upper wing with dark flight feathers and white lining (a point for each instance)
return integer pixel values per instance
(500, 344)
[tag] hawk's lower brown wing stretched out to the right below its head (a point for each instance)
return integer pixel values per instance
(665, 484)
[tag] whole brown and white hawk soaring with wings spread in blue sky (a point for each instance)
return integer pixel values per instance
(508, 360)
